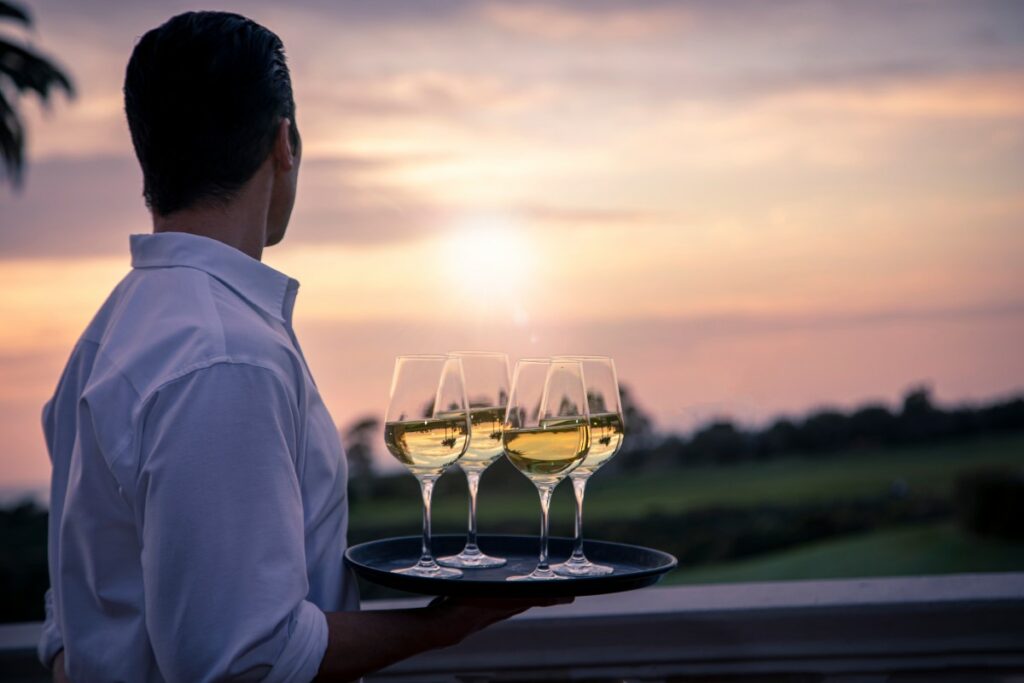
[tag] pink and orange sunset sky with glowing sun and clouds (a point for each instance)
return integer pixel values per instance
(757, 208)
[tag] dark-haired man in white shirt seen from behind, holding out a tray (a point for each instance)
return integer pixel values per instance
(198, 511)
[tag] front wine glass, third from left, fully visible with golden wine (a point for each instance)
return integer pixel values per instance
(546, 434)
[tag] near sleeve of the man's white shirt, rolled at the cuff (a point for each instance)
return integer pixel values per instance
(222, 519)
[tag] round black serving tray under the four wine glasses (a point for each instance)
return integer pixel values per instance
(635, 567)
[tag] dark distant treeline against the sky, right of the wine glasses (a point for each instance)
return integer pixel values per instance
(827, 432)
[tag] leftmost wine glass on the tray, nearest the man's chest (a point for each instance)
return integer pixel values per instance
(428, 429)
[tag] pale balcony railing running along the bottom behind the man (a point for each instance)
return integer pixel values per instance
(955, 628)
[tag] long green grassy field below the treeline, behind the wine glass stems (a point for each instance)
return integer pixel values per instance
(923, 471)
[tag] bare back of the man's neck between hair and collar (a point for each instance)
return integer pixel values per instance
(241, 223)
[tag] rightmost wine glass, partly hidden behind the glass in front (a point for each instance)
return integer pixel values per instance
(607, 433)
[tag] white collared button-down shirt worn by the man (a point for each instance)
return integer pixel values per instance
(198, 510)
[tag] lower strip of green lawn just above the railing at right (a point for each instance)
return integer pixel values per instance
(918, 550)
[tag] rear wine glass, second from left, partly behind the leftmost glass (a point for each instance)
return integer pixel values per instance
(487, 377)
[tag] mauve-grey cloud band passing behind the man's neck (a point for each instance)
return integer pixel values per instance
(74, 207)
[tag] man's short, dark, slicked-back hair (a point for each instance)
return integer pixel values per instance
(204, 96)
